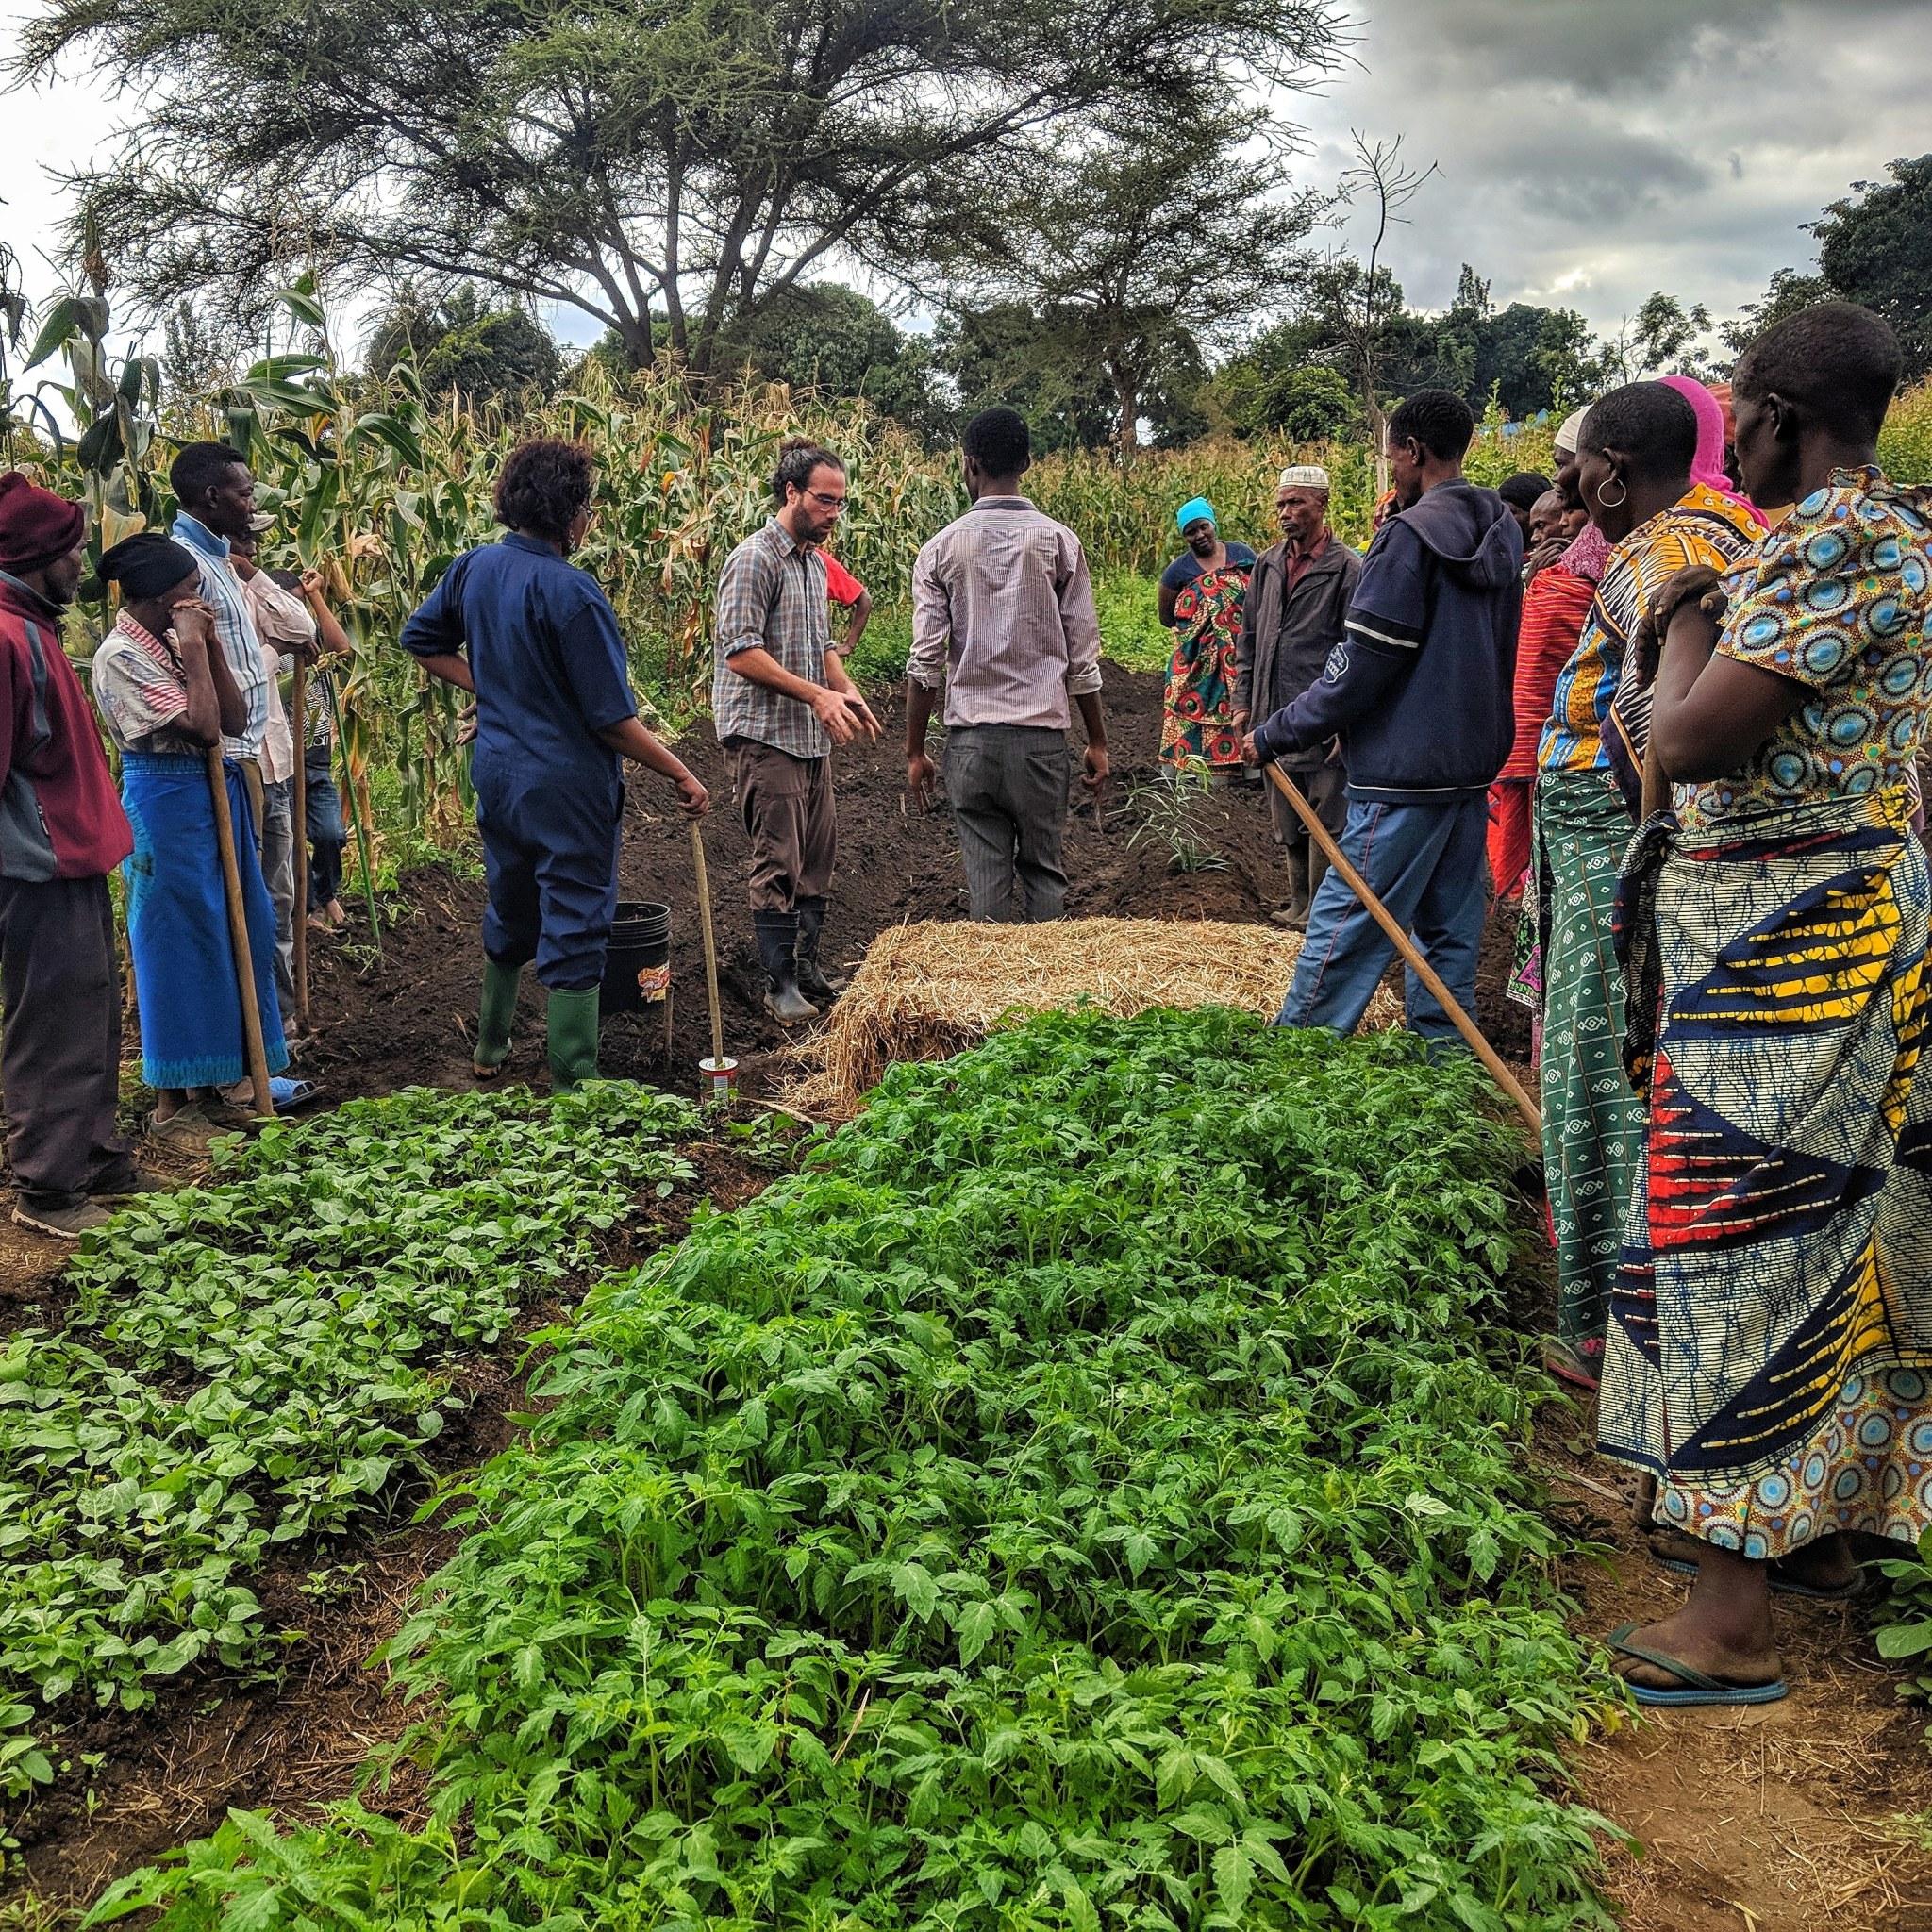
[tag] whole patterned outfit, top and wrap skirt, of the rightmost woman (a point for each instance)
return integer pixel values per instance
(1771, 1346)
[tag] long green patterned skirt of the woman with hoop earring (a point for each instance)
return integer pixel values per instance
(1593, 1122)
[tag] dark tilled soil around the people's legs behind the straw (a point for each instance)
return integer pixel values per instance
(411, 1017)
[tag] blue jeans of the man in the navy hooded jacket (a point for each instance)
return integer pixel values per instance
(1425, 865)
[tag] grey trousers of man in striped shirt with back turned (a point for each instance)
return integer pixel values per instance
(1009, 787)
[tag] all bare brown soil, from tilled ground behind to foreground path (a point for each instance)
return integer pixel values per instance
(1780, 1819)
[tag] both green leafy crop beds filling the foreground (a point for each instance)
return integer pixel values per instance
(1085, 1494)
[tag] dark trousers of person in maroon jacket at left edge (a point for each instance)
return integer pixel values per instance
(61, 1056)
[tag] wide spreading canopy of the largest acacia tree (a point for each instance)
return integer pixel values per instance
(691, 157)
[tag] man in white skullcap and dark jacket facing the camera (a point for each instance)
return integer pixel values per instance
(1295, 615)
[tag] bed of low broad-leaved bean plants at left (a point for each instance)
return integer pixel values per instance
(266, 1359)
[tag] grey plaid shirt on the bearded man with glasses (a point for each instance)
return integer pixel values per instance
(772, 598)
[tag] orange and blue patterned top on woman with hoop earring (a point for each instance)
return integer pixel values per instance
(1701, 528)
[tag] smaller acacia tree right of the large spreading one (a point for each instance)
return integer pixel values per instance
(1143, 250)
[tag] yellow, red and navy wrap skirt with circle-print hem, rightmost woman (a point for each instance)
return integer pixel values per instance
(1771, 1342)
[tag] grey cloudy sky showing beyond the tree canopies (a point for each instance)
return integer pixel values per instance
(1591, 150)
